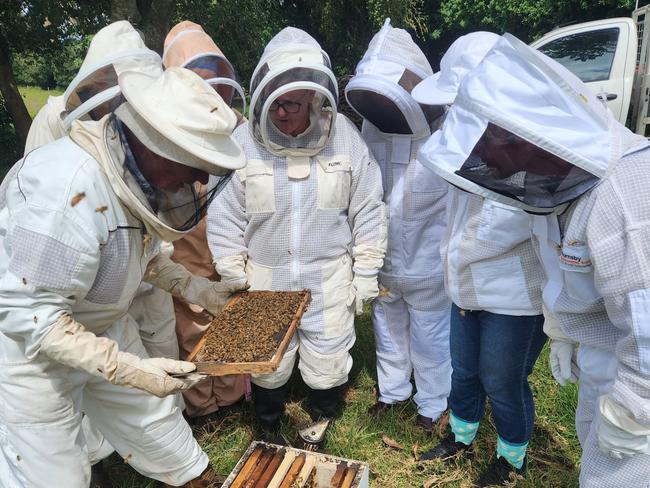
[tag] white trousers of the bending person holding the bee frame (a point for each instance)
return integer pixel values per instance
(41, 408)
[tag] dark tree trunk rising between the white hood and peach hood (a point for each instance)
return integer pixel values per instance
(152, 17)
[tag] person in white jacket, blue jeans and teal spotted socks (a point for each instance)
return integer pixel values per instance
(494, 280)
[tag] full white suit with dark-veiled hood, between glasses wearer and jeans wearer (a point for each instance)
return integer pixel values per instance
(411, 320)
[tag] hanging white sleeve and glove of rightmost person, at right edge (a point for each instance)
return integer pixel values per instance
(618, 243)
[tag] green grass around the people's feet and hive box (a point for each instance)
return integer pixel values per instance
(554, 452)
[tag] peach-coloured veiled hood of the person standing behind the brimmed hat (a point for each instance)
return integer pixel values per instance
(188, 46)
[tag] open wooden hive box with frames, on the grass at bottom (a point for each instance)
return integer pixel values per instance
(271, 466)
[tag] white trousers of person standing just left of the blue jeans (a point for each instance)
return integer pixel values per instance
(409, 340)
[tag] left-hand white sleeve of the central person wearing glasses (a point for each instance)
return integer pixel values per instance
(227, 222)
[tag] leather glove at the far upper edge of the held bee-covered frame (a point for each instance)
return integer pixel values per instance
(164, 273)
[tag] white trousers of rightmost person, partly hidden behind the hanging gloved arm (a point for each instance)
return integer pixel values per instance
(597, 375)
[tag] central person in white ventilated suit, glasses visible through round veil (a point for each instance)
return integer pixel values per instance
(305, 213)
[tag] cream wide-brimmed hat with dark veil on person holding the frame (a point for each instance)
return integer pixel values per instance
(179, 117)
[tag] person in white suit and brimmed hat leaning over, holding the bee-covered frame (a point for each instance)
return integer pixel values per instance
(80, 229)
